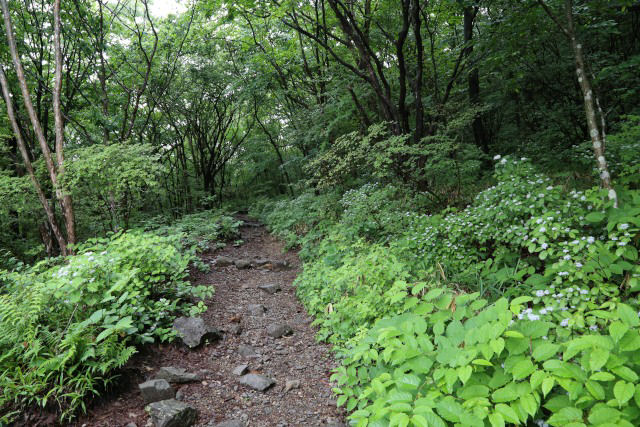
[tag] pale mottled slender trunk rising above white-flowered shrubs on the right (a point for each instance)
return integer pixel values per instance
(595, 131)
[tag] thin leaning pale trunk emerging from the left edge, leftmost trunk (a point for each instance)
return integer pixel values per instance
(51, 218)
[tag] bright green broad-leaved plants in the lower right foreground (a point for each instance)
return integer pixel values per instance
(454, 360)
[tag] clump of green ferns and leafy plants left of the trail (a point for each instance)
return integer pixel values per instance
(68, 324)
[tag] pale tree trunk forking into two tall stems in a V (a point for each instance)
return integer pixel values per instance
(35, 122)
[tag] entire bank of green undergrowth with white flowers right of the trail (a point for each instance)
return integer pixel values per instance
(521, 308)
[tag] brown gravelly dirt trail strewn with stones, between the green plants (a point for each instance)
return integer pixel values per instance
(300, 366)
